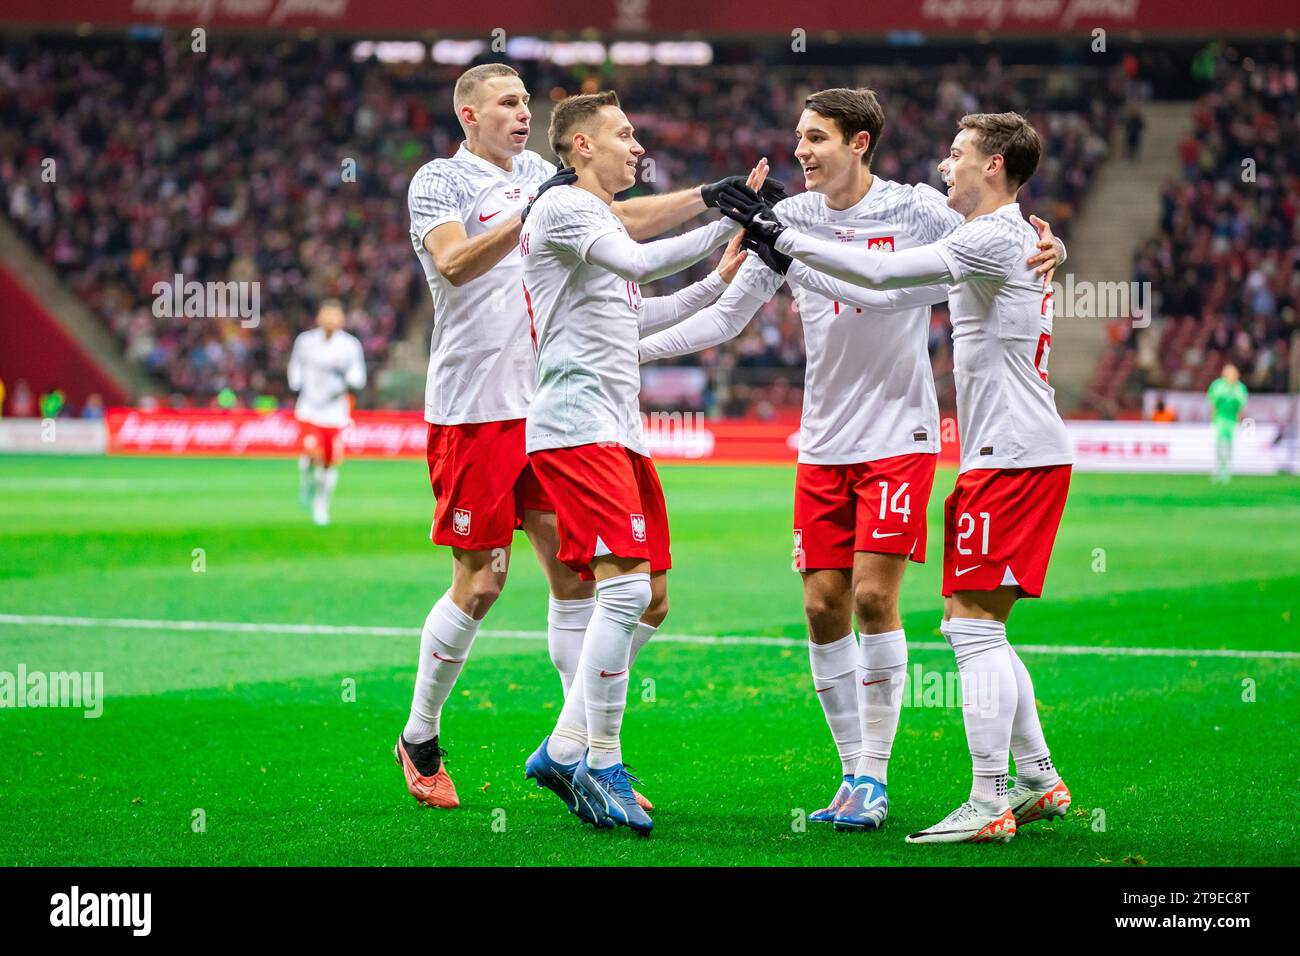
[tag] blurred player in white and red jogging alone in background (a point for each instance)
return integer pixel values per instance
(327, 364)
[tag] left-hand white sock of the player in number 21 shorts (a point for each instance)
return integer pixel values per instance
(989, 700)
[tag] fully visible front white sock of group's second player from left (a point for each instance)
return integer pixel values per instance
(606, 651)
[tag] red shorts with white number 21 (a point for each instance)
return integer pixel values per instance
(1000, 526)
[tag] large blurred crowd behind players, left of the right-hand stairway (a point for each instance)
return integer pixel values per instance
(289, 163)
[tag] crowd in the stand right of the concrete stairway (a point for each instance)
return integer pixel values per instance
(1224, 266)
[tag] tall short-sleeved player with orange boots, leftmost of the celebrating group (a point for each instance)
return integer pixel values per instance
(466, 215)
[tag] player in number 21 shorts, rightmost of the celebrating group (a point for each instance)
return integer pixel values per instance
(1002, 520)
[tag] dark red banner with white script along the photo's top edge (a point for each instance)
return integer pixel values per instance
(673, 18)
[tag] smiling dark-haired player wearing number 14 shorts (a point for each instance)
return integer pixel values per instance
(869, 435)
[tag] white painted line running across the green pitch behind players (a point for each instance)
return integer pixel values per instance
(749, 641)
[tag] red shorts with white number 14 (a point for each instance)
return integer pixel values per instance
(870, 507)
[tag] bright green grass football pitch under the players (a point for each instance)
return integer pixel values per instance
(1164, 657)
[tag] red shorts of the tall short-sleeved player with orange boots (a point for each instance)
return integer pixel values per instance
(483, 483)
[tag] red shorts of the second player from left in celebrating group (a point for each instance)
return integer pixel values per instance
(608, 501)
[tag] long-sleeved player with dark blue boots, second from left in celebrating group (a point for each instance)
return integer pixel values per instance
(586, 444)
